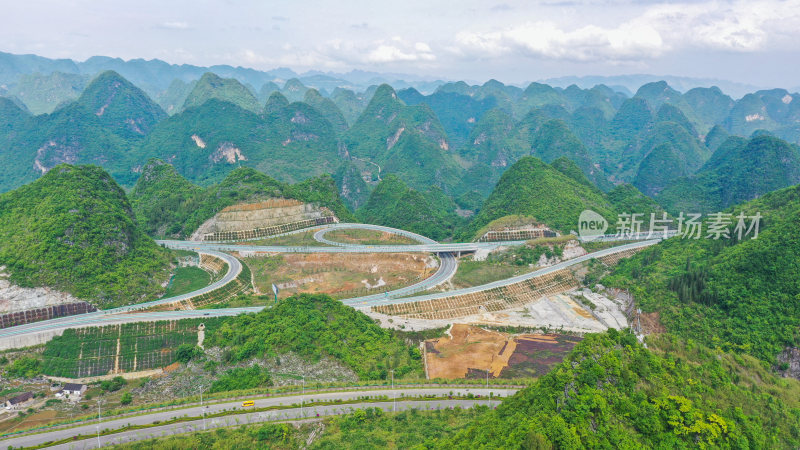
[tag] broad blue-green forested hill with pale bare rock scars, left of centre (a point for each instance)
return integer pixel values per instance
(205, 143)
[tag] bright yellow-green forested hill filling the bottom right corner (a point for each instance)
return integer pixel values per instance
(611, 392)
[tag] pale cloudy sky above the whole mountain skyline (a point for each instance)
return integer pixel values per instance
(755, 42)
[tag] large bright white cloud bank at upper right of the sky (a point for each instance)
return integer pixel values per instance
(660, 28)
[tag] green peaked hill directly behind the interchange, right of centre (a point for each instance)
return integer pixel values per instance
(532, 188)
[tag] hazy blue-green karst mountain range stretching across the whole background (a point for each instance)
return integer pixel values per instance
(447, 149)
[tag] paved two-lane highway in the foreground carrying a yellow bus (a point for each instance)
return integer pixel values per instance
(310, 411)
